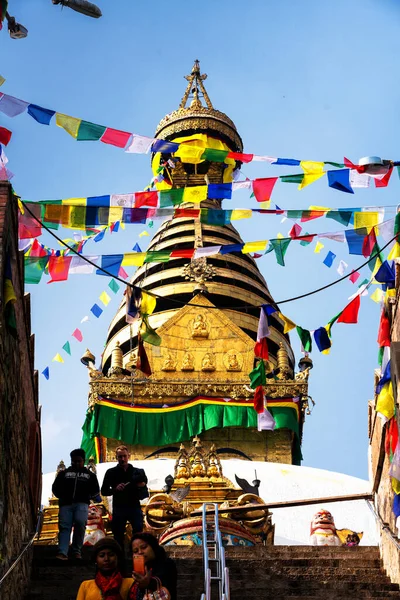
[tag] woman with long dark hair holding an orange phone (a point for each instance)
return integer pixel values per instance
(160, 570)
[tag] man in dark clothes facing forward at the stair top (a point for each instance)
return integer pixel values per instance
(127, 486)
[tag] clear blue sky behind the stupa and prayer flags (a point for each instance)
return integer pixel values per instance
(311, 80)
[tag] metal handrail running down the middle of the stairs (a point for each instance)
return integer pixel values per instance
(214, 555)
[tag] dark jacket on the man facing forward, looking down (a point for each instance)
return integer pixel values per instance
(132, 494)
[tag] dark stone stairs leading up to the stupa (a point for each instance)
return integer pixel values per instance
(277, 573)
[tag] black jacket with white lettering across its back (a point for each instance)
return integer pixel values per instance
(75, 486)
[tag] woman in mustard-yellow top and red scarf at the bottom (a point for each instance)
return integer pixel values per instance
(108, 583)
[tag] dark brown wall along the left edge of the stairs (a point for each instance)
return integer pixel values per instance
(20, 448)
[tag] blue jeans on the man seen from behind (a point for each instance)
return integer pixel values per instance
(73, 515)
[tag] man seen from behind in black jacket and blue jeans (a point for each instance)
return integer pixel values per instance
(74, 487)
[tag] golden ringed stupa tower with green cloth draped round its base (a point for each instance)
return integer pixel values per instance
(206, 314)
